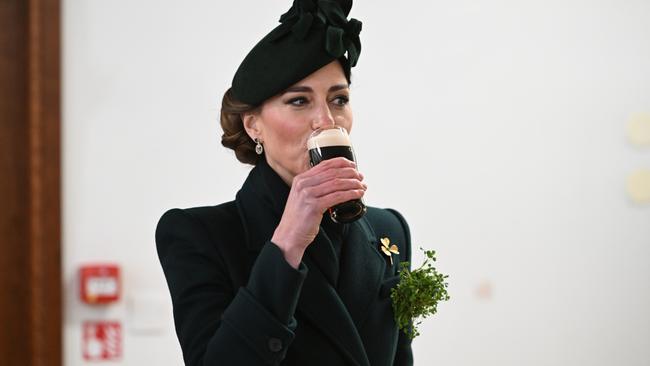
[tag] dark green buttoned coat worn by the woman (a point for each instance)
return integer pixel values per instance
(238, 302)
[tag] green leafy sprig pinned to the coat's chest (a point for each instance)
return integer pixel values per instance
(417, 294)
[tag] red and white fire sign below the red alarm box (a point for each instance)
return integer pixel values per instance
(102, 340)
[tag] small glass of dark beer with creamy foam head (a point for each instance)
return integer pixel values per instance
(330, 143)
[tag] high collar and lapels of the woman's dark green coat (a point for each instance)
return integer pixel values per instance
(339, 312)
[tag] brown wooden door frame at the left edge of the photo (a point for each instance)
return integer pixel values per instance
(30, 209)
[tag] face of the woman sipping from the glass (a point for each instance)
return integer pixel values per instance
(285, 121)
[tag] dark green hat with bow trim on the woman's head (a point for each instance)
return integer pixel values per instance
(312, 34)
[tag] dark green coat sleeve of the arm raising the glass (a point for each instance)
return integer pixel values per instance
(215, 323)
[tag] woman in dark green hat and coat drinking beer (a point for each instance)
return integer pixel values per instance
(269, 278)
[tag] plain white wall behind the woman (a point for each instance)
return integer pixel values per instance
(508, 156)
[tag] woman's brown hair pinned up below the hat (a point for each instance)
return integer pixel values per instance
(234, 135)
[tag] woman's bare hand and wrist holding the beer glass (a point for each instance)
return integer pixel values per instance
(329, 183)
